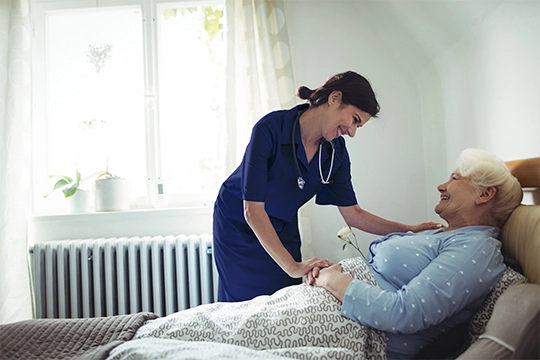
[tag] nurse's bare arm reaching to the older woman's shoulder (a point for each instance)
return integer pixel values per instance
(361, 219)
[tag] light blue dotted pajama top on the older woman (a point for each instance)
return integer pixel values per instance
(429, 282)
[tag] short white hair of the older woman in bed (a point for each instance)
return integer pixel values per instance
(484, 169)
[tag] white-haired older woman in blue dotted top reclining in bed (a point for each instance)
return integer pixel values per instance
(432, 281)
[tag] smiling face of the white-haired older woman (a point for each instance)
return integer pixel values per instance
(457, 199)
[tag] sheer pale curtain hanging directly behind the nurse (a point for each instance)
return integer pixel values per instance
(260, 64)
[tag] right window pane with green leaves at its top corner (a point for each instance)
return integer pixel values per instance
(192, 98)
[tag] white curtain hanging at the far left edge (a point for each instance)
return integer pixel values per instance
(15, 109)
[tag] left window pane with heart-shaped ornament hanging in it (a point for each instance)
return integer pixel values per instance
(95, 87)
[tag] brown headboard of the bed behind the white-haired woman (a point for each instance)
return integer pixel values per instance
(520, 234)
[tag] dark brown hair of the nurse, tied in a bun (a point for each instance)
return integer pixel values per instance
(355, 88)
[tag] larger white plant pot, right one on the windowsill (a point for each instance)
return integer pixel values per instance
(112, 194)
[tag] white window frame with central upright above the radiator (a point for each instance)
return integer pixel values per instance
(150, 31)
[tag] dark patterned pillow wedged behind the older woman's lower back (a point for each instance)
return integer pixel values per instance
(478, 322)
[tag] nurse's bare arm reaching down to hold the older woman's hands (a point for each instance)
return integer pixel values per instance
(258, 220)
